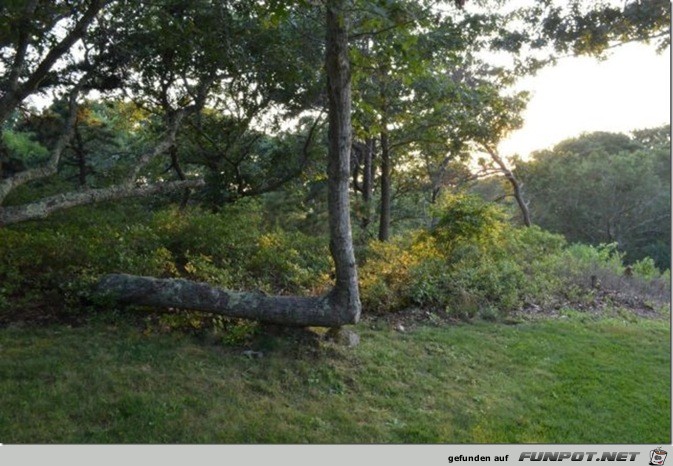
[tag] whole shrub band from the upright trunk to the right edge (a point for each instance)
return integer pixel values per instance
(474, 263)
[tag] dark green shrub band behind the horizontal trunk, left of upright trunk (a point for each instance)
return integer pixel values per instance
(48, 267)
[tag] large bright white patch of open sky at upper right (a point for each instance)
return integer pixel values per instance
(630, 90)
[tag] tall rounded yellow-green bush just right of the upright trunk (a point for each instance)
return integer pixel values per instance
(460, 266)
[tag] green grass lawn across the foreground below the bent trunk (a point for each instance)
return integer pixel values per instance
(568, 380)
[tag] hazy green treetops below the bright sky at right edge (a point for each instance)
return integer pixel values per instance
(606, 188)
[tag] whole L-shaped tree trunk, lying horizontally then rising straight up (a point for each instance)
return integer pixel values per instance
(341, 305)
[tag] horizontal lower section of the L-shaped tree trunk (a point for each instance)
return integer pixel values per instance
(330, 310)
